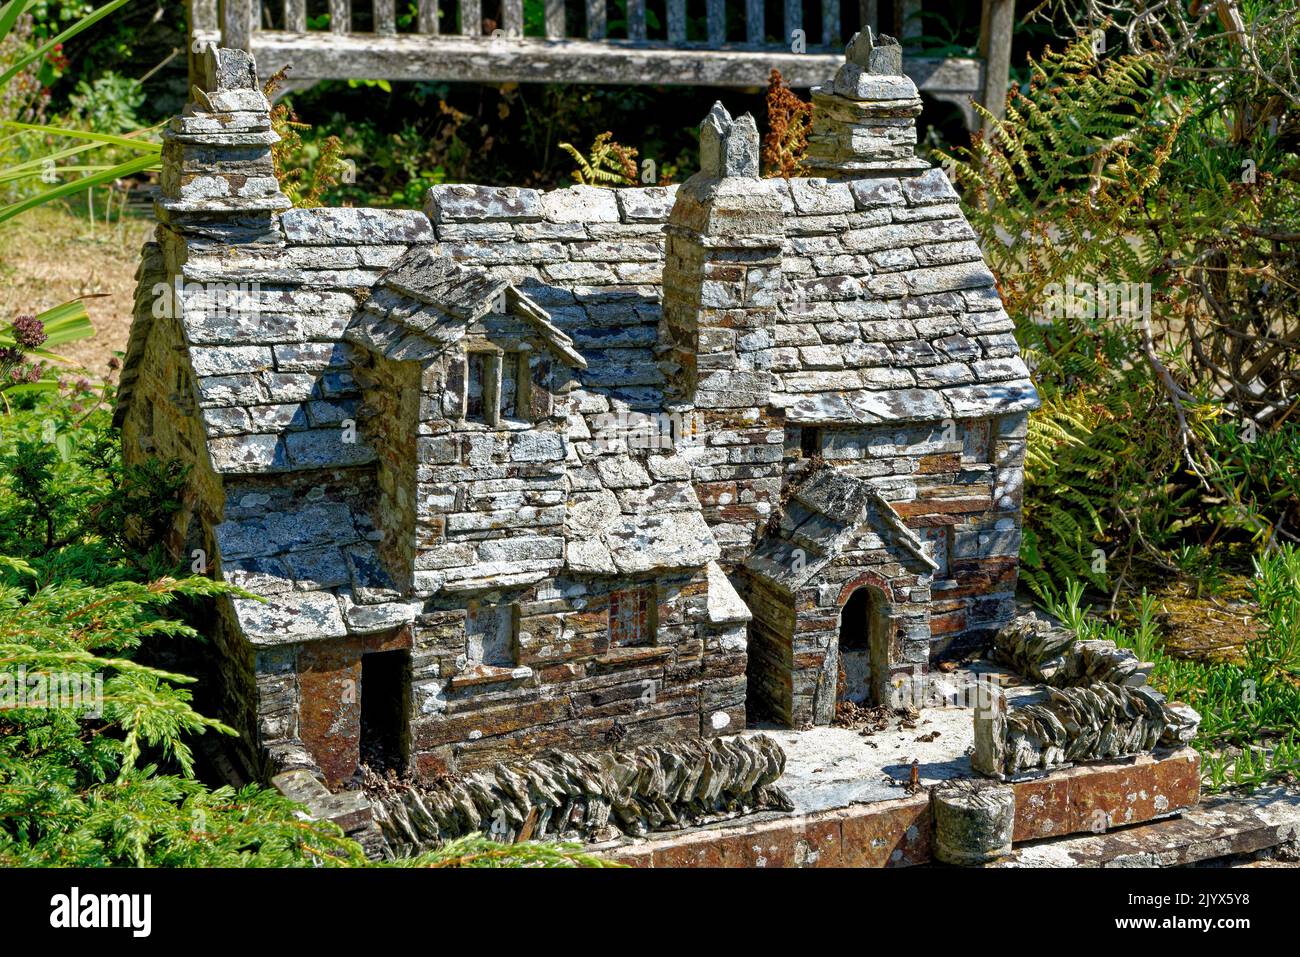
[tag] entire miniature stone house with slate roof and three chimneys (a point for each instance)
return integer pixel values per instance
(586, 466)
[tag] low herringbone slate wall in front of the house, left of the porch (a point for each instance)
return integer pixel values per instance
(586, 796)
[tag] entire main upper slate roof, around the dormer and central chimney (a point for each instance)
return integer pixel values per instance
(890, 313)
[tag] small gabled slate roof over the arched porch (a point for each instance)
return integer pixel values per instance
(824, 516)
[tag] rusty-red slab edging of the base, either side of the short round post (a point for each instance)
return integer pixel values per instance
(898, 834)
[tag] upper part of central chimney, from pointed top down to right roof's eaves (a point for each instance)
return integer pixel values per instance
(722, 272)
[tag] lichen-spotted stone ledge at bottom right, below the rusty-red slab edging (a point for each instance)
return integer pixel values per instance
(1216, 829)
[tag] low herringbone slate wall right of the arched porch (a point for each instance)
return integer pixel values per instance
(1097, 704)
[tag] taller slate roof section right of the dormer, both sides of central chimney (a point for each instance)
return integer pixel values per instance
(889, 315)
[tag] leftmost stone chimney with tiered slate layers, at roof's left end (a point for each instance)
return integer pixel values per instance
(218, 177)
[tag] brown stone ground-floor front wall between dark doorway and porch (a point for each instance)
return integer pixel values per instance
(570, 685)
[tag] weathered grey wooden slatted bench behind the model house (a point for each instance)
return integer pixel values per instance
(484, 42)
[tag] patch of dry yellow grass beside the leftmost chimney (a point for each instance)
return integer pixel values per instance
(50, 256)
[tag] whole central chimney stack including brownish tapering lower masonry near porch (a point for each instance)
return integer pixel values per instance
(722, 284)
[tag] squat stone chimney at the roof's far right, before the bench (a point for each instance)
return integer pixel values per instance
(865, 120)
